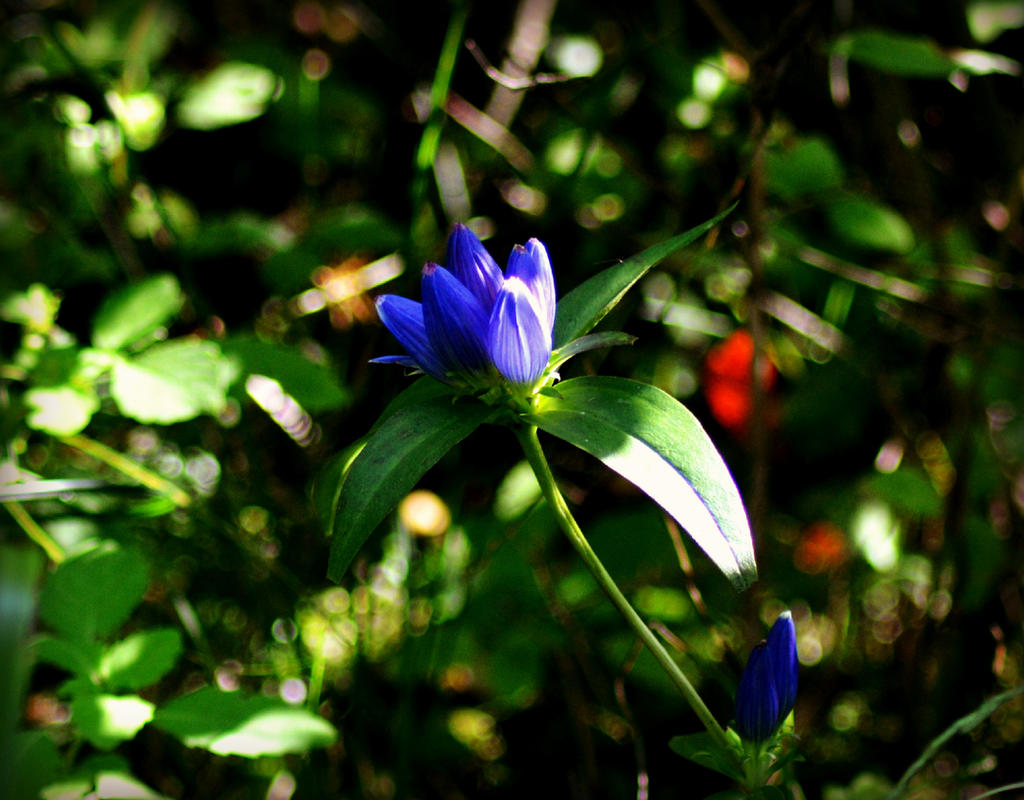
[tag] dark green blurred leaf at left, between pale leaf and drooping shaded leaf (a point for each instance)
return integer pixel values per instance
(315, 387)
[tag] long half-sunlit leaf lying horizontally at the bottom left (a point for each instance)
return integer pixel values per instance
(232, 724)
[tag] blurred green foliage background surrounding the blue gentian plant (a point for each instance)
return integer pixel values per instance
(198, 202)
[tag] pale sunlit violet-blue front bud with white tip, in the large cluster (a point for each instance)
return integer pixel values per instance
(519, 342)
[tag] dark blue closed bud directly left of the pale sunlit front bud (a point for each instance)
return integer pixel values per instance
(455, 321)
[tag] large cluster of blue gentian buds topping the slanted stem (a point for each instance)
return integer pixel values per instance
(478, 328)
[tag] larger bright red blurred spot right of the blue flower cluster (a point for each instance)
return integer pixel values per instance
(728, 382)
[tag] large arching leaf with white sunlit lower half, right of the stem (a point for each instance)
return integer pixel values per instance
(649, 438)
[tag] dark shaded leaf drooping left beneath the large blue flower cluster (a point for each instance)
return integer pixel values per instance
(410, 442)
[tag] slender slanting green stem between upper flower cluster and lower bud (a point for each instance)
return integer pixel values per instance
(535, 455)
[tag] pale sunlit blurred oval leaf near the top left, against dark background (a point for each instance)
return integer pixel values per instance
(234, 93)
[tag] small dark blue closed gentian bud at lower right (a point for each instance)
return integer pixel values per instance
(767, 689)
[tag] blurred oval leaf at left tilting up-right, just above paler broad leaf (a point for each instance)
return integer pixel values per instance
(137, 311)
